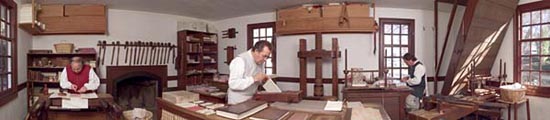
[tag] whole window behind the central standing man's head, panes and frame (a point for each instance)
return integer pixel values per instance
(264, 31)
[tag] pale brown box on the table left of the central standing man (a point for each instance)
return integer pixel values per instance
(180, 96)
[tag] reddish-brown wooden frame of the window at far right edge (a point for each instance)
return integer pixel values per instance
(542, 91)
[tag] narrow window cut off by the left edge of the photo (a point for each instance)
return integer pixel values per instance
(8, 51)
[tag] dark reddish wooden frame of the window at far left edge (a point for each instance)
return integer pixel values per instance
(11, 93)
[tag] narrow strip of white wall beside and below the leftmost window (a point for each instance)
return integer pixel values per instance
(17, 108)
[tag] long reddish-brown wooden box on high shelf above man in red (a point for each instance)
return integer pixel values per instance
(75, 24)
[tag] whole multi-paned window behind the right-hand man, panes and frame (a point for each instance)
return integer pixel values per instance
(397, 38)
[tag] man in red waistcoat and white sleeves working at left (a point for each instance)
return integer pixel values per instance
(78, 77)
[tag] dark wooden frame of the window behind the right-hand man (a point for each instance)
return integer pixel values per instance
(383, 21)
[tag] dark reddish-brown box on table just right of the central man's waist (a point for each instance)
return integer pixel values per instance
(285, 96)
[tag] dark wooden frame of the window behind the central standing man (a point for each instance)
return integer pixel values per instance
(250, 41)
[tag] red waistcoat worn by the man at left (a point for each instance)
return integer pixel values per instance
(80, 78)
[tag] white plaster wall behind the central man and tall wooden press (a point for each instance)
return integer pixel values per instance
(360, 46)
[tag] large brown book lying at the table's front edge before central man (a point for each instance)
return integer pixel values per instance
(242, 110)
